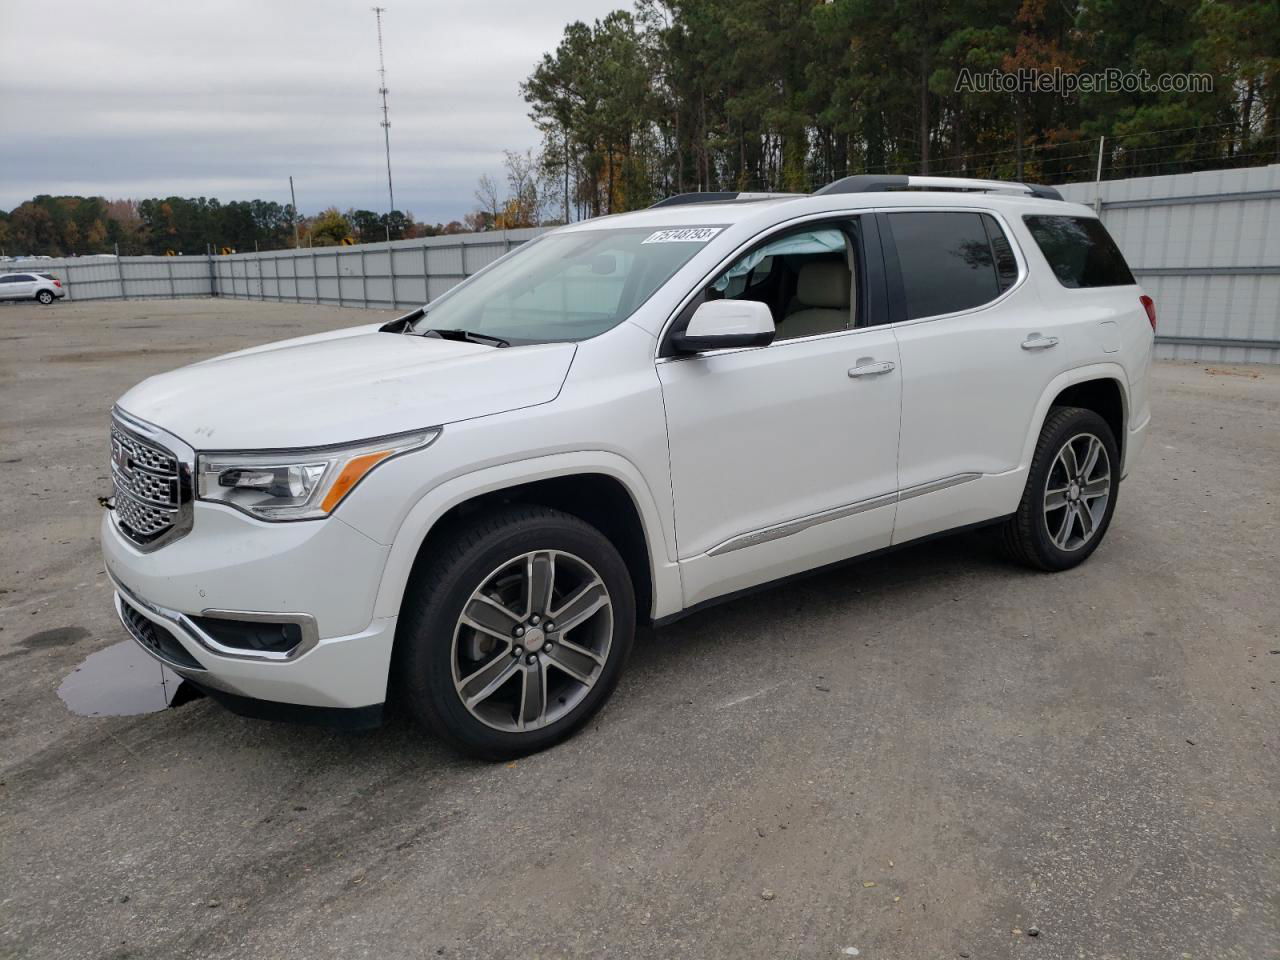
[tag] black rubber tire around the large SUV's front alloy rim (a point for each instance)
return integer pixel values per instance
(441, 588)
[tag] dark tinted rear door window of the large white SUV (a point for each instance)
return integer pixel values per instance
(952, 262)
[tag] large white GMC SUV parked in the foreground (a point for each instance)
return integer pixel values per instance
(470, 509)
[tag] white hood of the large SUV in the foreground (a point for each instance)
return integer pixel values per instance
(345, 386)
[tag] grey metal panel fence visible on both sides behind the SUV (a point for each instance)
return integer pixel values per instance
(1205, 245)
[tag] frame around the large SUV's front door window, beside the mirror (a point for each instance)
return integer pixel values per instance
(875, 267)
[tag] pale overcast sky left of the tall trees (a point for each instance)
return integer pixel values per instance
(227, 99)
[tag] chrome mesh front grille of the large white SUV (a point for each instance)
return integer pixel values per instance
(150, 496)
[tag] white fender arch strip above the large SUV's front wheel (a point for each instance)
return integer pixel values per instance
(606, 492)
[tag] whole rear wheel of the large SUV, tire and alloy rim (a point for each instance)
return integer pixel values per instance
(1071, 492)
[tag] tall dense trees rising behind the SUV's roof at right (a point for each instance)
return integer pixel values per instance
(787, 95)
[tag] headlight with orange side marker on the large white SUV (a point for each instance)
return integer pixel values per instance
(304, 484)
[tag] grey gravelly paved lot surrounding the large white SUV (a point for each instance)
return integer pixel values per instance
(917, 757)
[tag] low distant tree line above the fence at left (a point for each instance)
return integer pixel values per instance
(67, 226)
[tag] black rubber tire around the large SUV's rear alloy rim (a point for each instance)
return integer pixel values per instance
(1027, 537)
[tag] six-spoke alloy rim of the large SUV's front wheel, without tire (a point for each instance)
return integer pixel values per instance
(532, 641)
